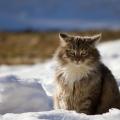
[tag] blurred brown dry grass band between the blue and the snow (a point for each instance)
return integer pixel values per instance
(32, 47)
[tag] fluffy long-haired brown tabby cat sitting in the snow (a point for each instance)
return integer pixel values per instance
(83, 82)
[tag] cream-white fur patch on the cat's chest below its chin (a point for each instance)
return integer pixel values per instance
(72, 72)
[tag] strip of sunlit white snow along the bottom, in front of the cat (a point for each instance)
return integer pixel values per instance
(113, 114)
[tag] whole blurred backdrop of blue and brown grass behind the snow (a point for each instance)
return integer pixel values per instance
(29, 28)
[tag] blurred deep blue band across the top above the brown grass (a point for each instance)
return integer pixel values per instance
(59, 14)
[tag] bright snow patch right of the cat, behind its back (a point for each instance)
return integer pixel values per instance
(111, 57)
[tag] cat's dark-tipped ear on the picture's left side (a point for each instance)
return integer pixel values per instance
(64, 38)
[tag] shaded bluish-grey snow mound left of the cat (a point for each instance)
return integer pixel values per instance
(18, 96)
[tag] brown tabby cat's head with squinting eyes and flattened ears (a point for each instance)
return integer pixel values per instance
(78, 49)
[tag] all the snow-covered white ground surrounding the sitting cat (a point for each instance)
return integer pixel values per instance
(26, 91)
